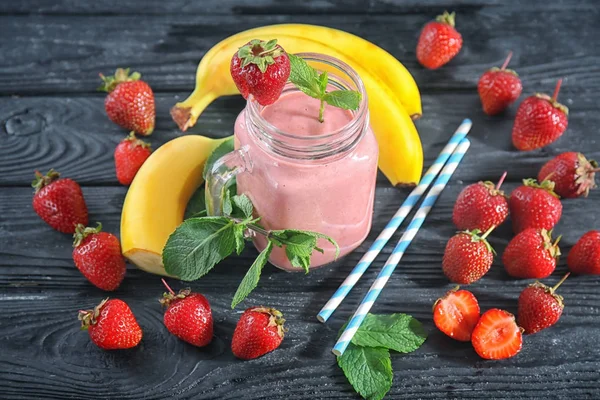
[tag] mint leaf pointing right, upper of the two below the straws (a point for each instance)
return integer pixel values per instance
(399, 332)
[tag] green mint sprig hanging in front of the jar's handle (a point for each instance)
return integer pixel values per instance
(199, 244)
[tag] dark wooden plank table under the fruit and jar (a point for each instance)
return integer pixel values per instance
(52, 117)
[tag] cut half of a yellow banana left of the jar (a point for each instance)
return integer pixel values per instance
(158, 196)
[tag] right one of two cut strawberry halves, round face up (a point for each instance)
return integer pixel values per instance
(497, 336)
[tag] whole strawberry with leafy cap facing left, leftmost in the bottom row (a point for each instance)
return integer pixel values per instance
(111, 325)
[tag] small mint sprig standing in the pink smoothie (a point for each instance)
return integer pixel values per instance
(309, 81)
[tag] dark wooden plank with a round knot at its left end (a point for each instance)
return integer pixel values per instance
(74, 136)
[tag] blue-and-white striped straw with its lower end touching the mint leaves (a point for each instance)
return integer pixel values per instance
(400, 248)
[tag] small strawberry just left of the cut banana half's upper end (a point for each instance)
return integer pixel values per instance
(130, 154)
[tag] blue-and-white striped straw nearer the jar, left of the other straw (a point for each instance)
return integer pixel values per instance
(392, 226)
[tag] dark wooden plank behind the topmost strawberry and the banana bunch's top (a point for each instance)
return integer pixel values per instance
(59, 54)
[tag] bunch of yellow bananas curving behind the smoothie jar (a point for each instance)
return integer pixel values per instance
(390, 89)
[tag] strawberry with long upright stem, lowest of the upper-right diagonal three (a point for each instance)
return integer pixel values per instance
(540, 120)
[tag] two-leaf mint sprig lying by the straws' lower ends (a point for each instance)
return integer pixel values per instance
(366, 363)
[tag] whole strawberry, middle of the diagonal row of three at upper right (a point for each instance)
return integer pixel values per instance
(498, 88)
